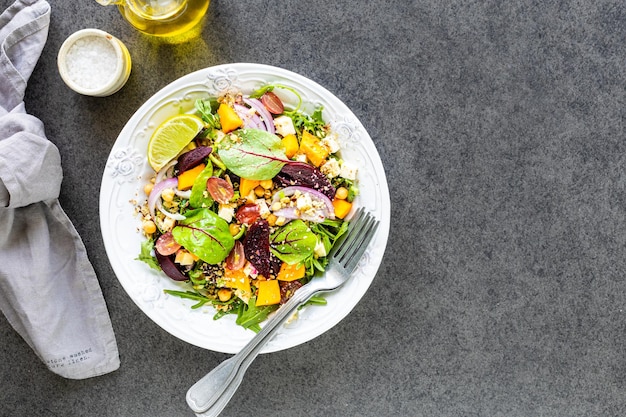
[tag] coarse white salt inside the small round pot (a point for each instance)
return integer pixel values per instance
(91, 62)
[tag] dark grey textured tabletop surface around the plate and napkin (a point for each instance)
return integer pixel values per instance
(501, 127)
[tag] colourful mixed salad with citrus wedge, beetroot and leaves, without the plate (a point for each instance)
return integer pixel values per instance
(246, 201)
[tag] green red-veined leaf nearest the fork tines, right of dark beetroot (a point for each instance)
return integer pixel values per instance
(293, 242)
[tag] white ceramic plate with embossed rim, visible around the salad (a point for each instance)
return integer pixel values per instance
(127, 171)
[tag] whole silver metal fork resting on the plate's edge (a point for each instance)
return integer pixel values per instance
(211, 394)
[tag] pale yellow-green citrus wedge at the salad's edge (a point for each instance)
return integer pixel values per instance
(171, 137)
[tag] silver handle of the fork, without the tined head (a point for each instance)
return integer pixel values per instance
(212, 392)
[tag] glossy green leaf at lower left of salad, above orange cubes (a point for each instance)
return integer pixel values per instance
(204, 234)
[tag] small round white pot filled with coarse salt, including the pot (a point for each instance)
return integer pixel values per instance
(94, 63)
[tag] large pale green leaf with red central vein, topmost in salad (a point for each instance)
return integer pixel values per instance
(253, 154)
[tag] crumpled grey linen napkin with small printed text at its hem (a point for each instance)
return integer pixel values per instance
(48, 289)
